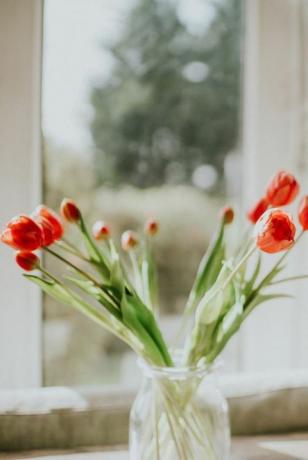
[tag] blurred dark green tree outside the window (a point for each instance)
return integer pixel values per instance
(172, 100)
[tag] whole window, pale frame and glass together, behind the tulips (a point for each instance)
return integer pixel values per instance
(274, 125)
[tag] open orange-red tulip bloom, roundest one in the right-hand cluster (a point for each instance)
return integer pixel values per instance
(275, 231)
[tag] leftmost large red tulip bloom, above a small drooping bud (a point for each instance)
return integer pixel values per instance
(22, 233)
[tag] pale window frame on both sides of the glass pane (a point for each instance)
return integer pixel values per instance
(272, 132)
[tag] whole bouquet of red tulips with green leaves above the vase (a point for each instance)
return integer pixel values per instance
(227, 288)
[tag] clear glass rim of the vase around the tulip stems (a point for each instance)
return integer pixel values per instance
(178, 372)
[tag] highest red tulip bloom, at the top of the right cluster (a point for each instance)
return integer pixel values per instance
(282, 189)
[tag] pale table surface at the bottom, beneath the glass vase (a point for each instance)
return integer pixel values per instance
(243, 448)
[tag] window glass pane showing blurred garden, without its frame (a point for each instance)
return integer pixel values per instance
(141, 104)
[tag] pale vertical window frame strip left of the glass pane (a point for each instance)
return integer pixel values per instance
(21, 178)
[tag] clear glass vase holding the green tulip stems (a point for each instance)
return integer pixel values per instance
(179, 414)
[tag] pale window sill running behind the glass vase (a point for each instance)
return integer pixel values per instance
(63, 418)
